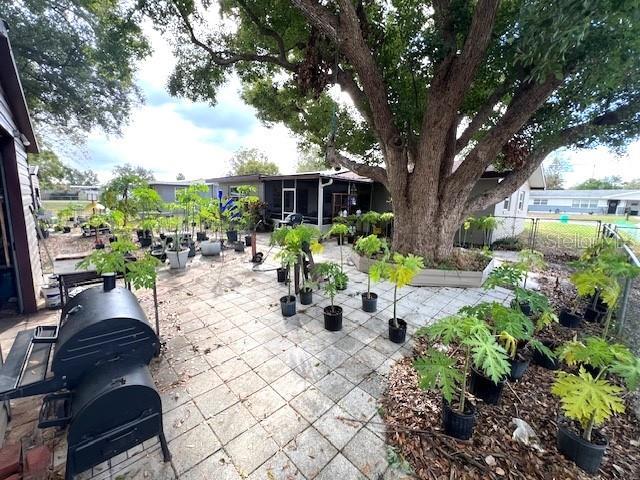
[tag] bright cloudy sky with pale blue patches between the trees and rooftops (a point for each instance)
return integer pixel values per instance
(171, 135)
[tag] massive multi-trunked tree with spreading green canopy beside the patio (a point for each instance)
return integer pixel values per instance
(439, 90)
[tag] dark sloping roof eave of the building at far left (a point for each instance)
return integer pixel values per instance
(12, 87)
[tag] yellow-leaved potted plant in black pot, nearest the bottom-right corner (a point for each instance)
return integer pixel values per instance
(588, 398)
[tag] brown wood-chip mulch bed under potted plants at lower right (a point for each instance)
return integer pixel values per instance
(413, 420)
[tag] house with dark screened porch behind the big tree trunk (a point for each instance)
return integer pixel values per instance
(321, 196)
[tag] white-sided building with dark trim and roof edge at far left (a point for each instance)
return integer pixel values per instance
(20, 269)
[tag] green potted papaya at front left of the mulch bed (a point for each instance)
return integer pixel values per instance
(441, 370)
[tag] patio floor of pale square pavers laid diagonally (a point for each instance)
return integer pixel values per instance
(248, 394)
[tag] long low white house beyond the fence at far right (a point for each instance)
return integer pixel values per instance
(616, 202)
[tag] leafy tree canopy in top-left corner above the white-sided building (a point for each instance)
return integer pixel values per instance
(77, 60)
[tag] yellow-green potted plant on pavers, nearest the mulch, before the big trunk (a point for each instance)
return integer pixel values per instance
(400, 272)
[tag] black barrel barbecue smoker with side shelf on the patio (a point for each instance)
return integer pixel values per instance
(93, 366)
